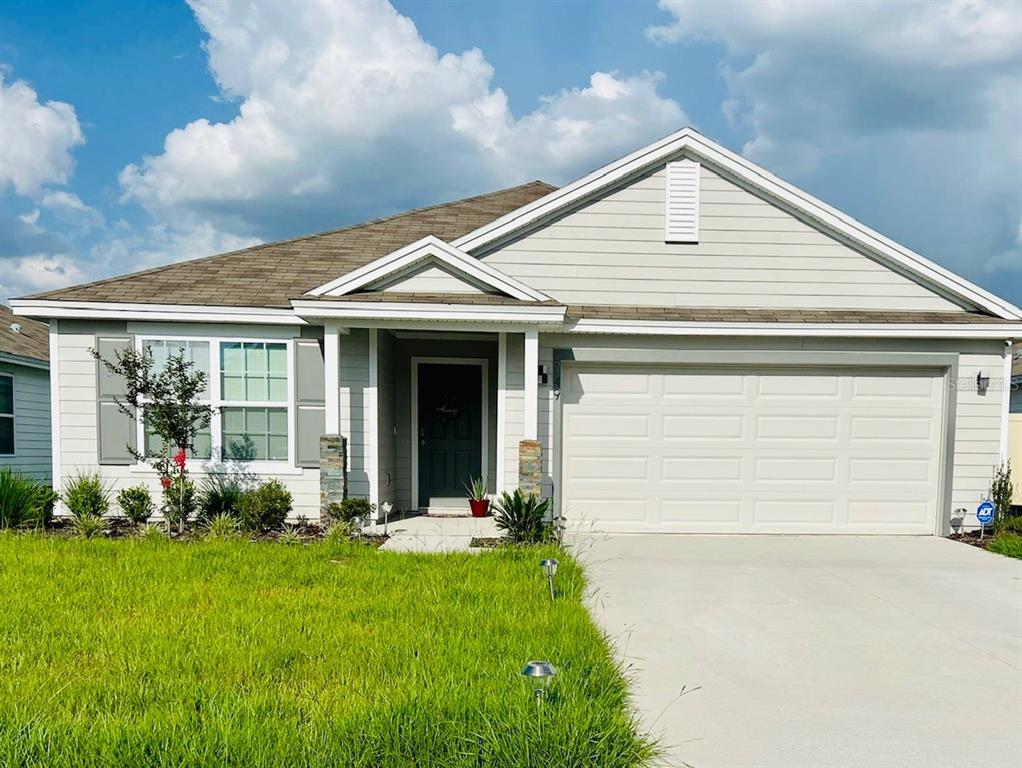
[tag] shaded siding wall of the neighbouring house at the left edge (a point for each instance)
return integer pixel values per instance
(32, 422)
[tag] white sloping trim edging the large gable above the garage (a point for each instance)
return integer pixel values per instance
(760, 179)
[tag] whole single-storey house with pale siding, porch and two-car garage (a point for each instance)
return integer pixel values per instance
(696, 346)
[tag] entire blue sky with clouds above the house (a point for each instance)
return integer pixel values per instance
(134, 135)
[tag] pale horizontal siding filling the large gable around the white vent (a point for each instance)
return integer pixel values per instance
(751, 254)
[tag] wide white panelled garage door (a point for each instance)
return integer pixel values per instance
(752, 451)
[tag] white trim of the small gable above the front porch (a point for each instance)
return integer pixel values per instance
(431, 247)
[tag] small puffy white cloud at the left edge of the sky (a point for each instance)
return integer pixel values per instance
(36, 140)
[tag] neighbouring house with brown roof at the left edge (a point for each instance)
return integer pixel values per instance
(25, 395)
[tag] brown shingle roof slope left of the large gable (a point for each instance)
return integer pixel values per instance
(272, 275)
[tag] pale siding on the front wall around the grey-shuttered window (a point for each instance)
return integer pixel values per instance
(78, 428)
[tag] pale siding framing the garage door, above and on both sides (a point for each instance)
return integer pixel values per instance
(978, 418)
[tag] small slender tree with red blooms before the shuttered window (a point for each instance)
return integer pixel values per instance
(167, 400)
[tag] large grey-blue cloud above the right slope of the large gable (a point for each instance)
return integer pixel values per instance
(908, 115)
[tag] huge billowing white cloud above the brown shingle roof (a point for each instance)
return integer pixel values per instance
(347, 112)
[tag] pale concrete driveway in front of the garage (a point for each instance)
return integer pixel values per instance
(817, 652)
